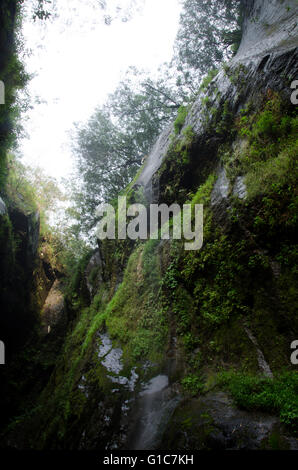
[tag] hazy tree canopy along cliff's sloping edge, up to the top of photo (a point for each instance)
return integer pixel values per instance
(110, 147)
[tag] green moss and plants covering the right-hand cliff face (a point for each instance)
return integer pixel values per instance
(205, 297)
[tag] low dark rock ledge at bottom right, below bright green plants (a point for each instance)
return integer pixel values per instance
(211, 422)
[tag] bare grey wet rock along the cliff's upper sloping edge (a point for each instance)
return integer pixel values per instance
(267, 56)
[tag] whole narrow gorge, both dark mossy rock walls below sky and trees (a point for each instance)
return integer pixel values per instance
(148, 345)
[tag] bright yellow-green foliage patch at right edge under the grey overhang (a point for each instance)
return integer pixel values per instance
(269, 156)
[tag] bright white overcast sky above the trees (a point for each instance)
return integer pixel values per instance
(79, 63)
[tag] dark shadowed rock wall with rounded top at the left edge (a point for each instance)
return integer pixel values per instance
(18, 257)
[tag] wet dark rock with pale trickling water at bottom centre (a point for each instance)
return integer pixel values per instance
(135, 413)
